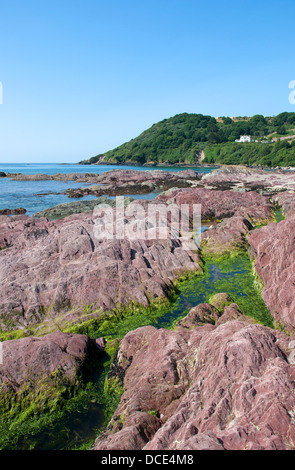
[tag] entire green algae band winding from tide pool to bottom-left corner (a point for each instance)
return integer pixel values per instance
(48, 416)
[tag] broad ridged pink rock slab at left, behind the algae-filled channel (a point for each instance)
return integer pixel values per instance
(56, 267)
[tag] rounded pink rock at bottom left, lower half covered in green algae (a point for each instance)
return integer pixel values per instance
(43, 380)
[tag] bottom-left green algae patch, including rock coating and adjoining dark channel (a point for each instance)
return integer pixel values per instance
(54, 413)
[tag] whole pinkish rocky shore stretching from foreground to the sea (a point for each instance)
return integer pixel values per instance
(217, 378)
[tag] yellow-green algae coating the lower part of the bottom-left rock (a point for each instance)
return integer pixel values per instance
(36, 416)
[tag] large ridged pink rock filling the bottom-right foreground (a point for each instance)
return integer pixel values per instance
(221, 387)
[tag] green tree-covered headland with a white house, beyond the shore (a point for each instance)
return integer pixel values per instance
(183, 138)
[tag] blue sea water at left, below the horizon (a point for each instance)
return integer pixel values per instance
(35, 196)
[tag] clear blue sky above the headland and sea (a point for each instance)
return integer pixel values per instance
(81, 77)
